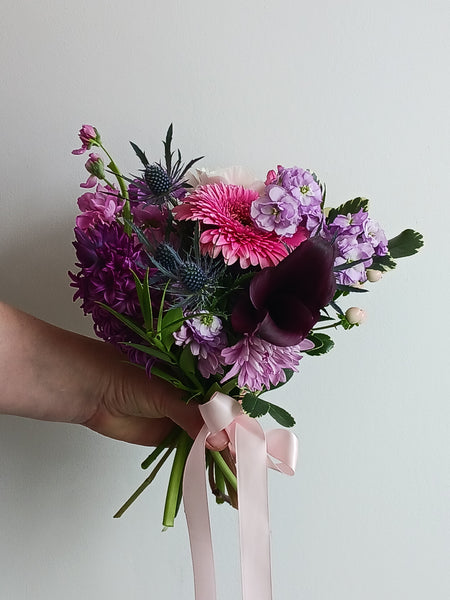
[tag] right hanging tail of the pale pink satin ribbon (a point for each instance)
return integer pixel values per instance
(251, 463)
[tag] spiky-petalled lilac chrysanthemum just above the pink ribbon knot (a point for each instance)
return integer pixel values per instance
(260, 364)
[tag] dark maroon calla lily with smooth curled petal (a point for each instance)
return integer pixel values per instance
(283, 302)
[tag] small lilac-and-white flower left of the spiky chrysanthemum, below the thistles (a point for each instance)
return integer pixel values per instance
(206, 339)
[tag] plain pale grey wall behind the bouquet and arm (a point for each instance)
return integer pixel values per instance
(356, 90)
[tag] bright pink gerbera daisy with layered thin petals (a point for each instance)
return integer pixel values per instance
(230, 230)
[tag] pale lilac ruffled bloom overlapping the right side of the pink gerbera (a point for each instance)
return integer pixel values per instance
(276, 210)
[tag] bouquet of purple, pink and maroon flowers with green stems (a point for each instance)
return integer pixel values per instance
(219, 283)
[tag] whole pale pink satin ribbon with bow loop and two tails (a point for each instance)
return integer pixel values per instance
(254, 451)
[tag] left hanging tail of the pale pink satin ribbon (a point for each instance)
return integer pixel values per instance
(197, 516)
